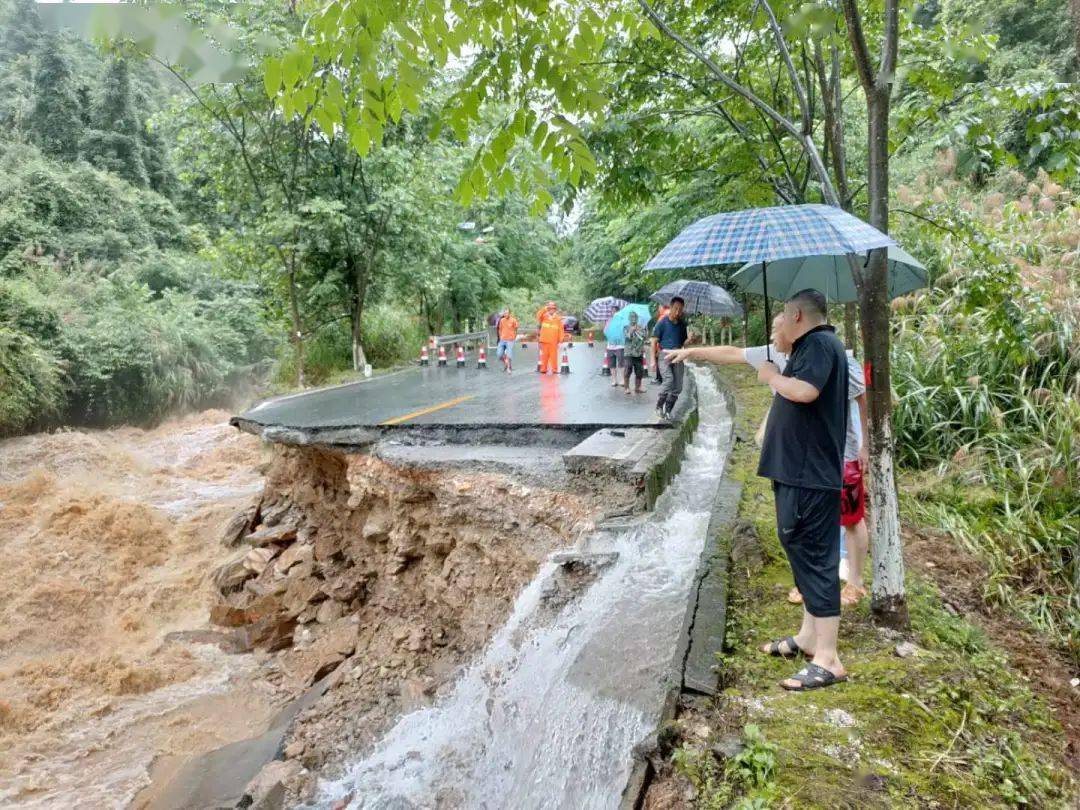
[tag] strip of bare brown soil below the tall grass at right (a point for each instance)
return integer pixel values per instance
(960, 577)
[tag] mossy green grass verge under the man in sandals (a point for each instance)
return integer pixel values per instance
(951, 727)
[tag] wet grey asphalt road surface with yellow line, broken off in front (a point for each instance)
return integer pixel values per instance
(470, 397)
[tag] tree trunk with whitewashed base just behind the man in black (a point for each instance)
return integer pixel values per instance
(888, 602)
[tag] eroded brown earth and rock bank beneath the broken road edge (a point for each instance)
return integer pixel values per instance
(387, 578)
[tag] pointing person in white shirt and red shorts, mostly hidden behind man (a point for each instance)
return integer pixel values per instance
(856, 451)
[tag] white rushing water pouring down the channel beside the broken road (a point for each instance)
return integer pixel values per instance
(549, 714)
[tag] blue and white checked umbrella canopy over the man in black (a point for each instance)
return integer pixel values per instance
(768, 235)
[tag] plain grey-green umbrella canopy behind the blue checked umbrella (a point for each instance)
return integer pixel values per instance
(829, 275)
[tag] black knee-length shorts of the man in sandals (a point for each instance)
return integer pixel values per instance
(807, 522)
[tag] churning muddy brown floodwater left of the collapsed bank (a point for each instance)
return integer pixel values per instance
(106, 539)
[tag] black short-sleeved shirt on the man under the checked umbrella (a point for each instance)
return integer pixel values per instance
(804, 442)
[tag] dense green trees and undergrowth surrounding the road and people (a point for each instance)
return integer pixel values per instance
(163, 242)
